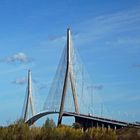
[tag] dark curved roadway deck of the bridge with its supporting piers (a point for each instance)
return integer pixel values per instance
(86, 121)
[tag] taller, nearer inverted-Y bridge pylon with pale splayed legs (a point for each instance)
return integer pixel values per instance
(68, 76)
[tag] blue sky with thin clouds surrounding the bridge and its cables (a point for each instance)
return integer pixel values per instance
(105, 33)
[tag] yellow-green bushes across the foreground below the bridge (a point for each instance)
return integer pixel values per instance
(21, 131)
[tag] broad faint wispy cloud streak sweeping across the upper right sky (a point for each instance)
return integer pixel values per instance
(104, 26)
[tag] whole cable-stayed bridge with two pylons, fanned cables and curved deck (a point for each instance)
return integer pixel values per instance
(70, 95)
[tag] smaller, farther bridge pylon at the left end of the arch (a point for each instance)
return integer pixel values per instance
(29, 99)
